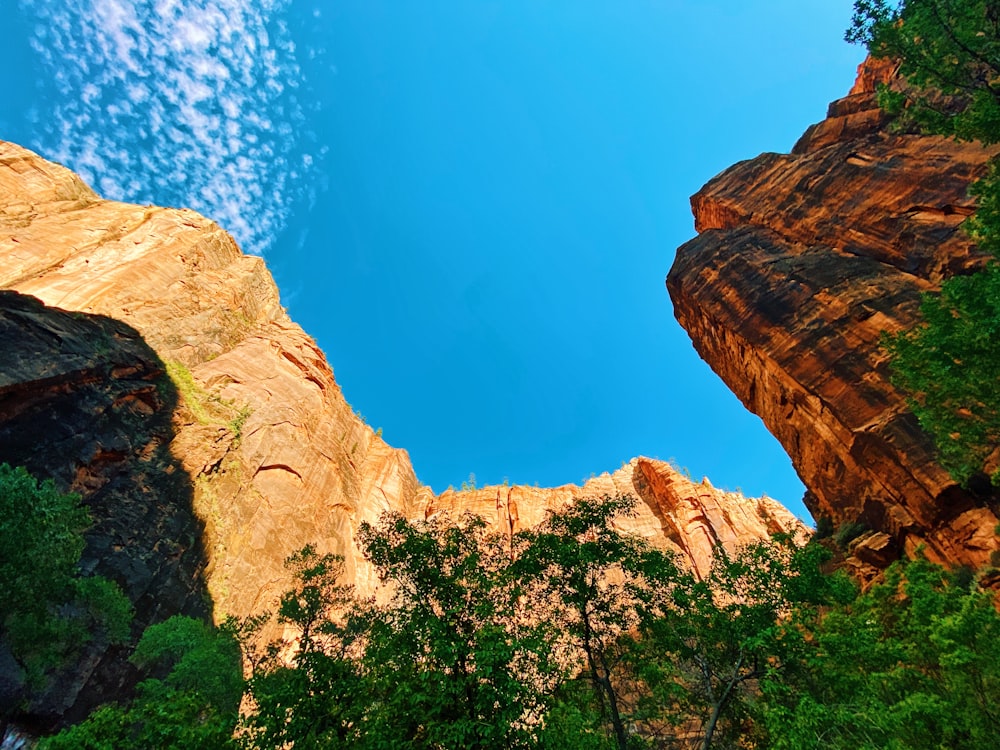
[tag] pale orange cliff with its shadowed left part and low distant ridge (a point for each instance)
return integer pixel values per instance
(148, 365)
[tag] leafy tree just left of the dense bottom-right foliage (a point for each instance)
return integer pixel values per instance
(713, 642)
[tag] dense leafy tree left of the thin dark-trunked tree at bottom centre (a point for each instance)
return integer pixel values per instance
(457, 659)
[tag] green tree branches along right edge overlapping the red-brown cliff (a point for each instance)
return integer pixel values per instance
(949, 53)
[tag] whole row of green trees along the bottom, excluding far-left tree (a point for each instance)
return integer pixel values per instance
(574, 635)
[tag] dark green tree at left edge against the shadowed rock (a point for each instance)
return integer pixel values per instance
(49, 610)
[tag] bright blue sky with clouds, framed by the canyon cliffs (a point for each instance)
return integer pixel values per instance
(471, 206)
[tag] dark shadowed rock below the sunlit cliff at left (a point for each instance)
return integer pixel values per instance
(84, 401)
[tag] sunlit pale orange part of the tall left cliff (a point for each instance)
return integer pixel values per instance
(275, 455)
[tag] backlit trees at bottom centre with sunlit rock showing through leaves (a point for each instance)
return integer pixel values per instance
(571, 634)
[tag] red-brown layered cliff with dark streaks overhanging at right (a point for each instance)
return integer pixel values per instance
(802, 261)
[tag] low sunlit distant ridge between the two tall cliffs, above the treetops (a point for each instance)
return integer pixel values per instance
(672, 511)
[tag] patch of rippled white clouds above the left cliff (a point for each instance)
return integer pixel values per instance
(194, 103)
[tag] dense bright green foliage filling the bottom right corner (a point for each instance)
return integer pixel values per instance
(912, 664)
